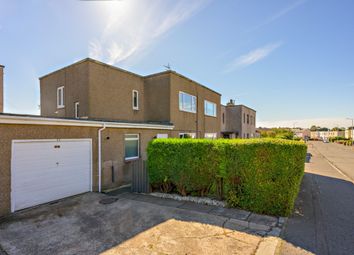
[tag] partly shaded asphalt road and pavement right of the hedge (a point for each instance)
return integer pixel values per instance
(323, 220)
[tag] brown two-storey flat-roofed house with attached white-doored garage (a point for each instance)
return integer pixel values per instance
(96, 120)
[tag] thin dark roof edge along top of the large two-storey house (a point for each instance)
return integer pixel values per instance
(122, 70)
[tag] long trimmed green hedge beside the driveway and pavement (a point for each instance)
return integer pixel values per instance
(261, 175)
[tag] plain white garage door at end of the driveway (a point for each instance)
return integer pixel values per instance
(46, 170)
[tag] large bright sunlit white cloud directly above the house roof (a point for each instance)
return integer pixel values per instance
(129, 27)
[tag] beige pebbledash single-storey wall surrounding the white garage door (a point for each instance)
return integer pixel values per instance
(112, 152)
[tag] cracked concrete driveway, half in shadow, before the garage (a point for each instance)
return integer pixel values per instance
(85, 225)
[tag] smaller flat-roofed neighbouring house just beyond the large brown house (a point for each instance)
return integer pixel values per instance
(238, 121)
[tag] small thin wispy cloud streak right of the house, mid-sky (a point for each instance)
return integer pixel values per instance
(252, 57)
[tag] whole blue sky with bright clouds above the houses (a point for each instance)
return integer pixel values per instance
(292, 60)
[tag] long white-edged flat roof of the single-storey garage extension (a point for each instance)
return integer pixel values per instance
(8, 118)
